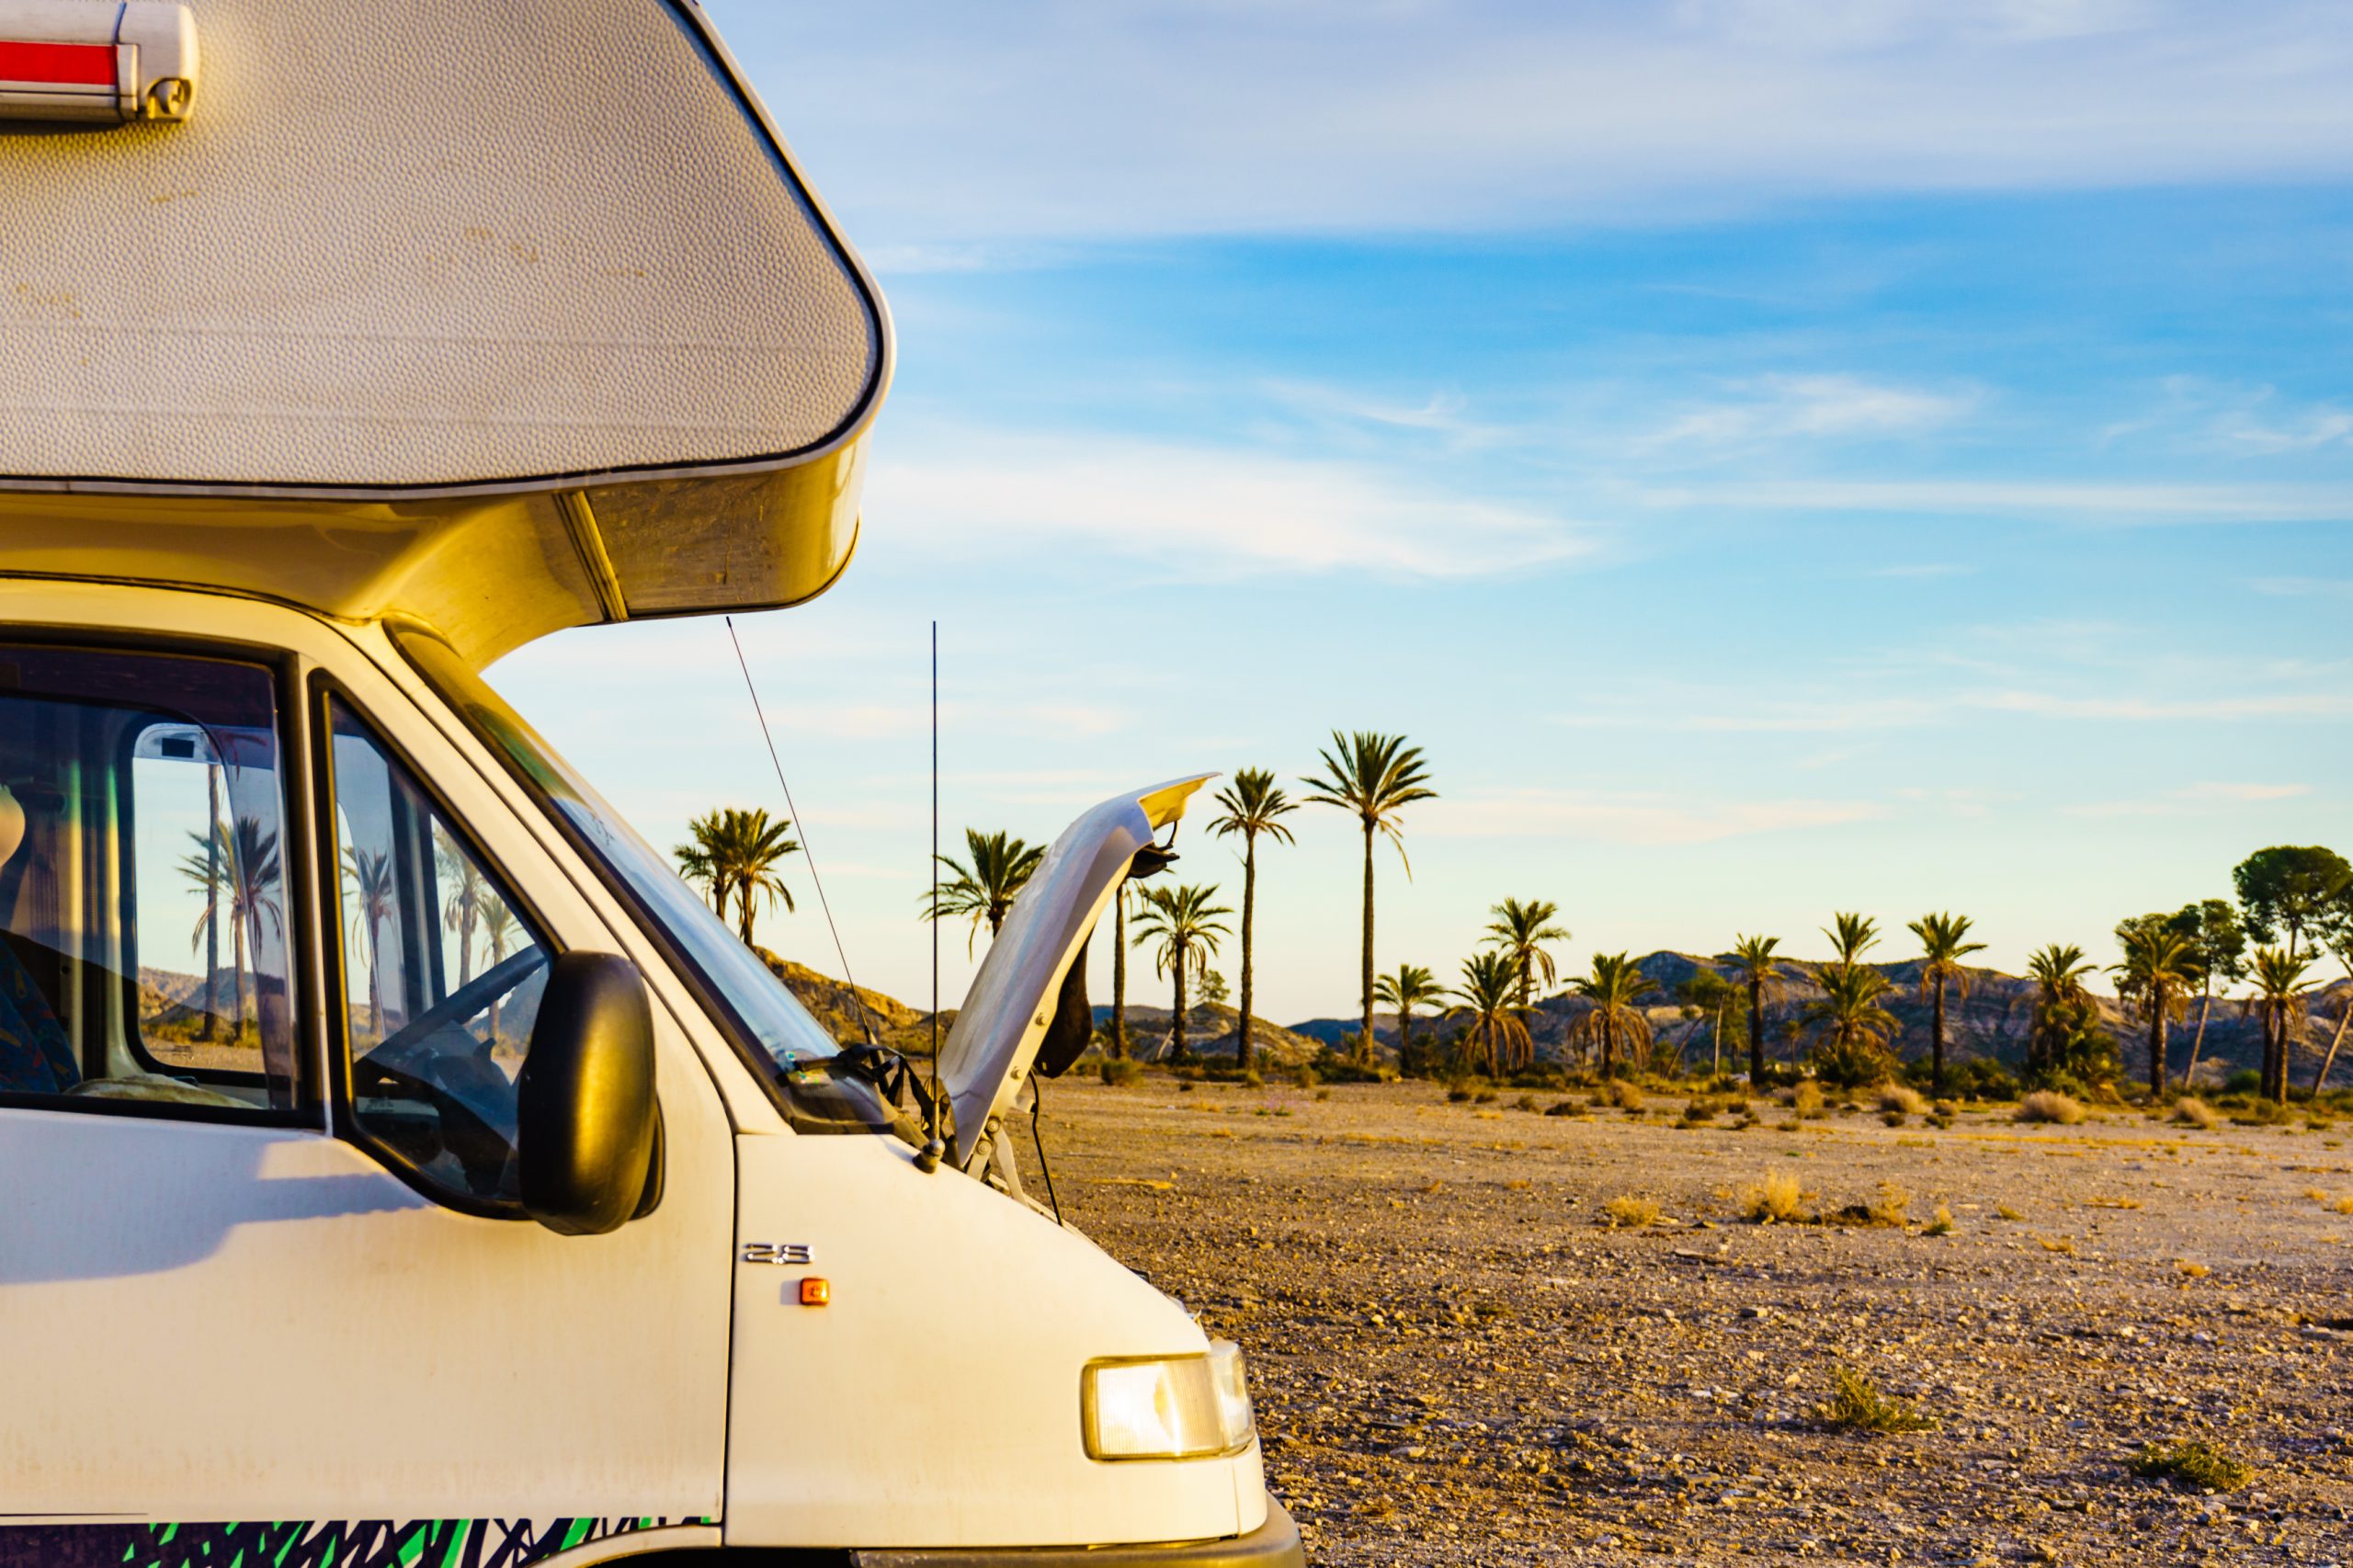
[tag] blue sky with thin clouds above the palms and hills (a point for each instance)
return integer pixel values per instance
(1846, 456)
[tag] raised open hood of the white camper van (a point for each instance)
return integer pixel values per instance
(1013, 999)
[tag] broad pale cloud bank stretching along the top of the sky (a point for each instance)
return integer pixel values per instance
(945, 121)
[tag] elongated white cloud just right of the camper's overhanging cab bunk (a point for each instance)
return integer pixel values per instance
(1204, 512)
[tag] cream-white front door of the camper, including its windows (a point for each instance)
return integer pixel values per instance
(269, 957)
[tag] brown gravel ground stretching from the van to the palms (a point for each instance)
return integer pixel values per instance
(1458, 1362)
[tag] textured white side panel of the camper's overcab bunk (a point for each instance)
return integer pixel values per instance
(425, 244)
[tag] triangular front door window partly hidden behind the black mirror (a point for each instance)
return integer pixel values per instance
(441, 976)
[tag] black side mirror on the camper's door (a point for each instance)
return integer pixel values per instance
(585, 1105)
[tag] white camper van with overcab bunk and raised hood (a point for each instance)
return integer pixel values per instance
(399, 1164)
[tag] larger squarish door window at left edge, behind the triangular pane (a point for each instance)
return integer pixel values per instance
(142, 886)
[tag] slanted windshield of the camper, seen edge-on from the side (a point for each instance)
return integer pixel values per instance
(752, 1002)
